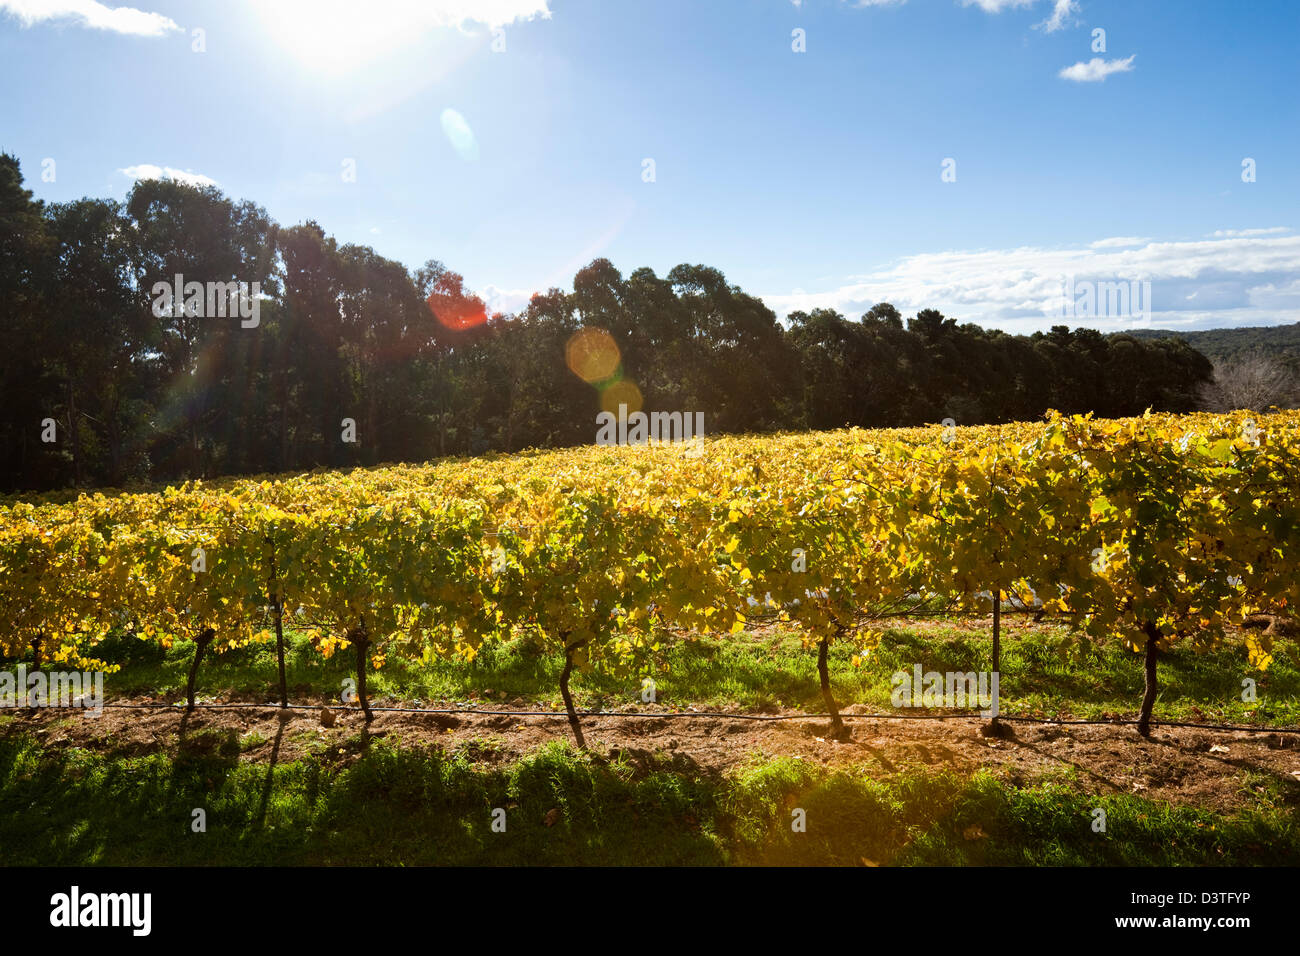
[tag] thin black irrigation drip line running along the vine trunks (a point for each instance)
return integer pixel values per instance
(701, 715)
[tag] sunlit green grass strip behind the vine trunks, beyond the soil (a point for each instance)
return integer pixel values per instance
(1045, 673)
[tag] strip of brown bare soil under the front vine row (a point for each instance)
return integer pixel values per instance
(1210, 769)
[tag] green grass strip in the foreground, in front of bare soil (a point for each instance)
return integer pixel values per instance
(374, 803)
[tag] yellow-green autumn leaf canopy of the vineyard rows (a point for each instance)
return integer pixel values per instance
(1163, 527)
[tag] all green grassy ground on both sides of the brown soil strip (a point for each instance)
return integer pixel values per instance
(371, 801)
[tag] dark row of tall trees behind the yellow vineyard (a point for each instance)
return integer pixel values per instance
(102, 387)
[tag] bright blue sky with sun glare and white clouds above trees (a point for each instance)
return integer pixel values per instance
(973, 157)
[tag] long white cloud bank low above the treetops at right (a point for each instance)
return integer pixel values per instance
(1237, 280)
